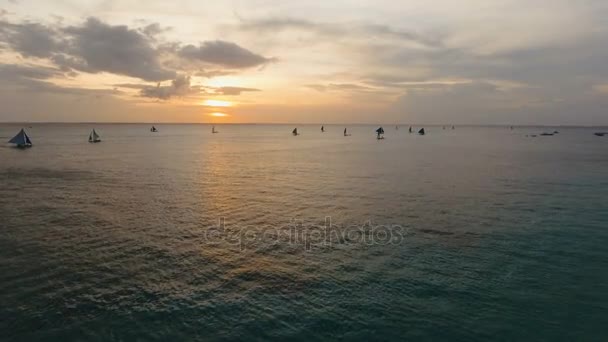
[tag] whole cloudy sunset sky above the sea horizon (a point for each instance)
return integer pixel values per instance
(511, 62)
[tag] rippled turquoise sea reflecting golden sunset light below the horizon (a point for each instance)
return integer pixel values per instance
(472, 234)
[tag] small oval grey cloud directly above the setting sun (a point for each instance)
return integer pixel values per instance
(223, 53)
